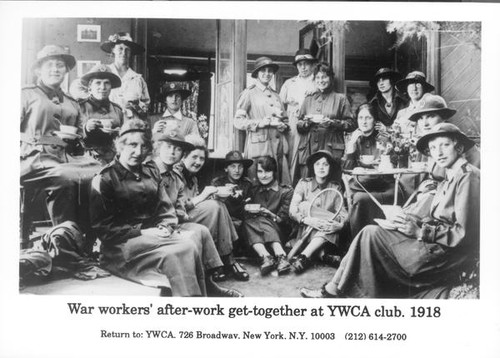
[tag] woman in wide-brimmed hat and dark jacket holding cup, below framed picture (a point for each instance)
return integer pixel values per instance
(101, 118)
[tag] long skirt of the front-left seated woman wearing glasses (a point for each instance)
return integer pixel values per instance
(173, 262)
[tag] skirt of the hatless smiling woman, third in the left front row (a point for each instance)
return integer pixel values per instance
(214, 215)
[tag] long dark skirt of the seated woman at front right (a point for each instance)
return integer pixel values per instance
(387, 264)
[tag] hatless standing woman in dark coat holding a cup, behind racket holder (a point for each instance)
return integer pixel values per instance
(323, 119)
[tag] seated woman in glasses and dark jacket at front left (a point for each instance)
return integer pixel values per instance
(136, 222)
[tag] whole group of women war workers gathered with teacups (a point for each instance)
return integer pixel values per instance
(157, 225)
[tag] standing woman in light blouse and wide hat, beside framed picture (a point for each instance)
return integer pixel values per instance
(132, 95)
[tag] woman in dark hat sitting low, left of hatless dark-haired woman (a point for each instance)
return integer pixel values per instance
(235, 166)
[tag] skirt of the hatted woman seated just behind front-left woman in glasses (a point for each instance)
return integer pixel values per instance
(204, 243)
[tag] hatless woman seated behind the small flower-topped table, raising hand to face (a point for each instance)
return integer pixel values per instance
(362, 151)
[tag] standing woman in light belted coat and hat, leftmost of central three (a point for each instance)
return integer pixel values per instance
(261, 114)
